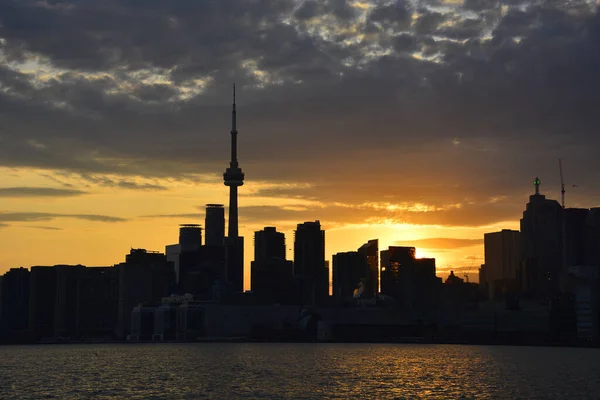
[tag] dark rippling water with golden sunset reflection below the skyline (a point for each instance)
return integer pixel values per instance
(297, 371)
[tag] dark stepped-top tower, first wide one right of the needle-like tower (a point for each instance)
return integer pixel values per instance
(271, 274)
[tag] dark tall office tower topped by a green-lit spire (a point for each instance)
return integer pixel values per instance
(541, 246)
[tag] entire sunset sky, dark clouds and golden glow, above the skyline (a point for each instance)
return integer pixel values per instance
(418, 122)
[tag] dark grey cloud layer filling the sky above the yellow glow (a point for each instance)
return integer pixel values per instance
(514, 88)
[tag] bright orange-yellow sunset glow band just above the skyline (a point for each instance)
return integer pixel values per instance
(65, 230)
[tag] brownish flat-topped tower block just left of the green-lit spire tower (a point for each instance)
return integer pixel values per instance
(502, 260)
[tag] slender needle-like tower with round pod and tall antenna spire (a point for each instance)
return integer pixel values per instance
(234, 177)
